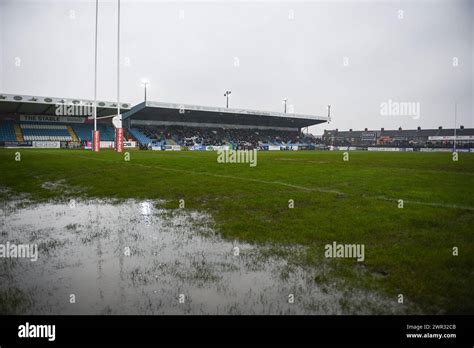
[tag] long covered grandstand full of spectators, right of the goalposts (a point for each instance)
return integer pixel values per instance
(155, 124)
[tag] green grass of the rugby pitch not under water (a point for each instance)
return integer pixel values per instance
(408, 251)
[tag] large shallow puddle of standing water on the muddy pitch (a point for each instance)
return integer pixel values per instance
(131, 257)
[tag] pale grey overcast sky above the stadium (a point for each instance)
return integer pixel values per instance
(354, 55)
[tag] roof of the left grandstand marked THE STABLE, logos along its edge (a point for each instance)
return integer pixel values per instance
(34, 105)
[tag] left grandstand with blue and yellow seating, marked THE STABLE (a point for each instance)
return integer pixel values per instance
(53, 122)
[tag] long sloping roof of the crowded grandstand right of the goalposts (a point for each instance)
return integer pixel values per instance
(180, 113)
